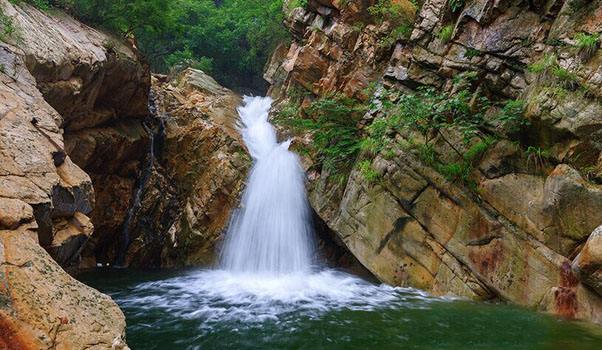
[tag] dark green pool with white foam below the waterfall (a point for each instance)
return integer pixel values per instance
(330, 310)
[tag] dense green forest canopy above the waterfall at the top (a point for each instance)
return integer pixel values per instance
(230, 39)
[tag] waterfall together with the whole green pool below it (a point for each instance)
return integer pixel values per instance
(266, 295)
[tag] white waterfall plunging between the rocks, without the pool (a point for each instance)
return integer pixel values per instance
(271, 232)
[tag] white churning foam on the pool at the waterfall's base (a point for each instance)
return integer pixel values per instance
(218, 296)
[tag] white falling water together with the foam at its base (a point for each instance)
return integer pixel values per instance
(266, 269)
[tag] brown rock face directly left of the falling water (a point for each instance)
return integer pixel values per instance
(205, 159)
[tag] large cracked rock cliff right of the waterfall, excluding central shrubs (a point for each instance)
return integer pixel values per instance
(519, 232)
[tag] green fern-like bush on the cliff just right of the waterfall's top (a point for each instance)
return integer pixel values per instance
(332, 121)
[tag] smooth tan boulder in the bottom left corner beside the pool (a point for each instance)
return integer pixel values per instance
(45, 307)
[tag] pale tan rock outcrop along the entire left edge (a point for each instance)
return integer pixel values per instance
(58, 77)
